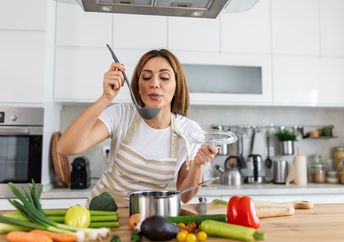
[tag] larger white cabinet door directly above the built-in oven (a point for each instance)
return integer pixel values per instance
(22, 66)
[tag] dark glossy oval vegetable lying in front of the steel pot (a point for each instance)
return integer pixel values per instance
(158, 228)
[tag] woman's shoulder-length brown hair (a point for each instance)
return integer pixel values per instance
(180, 101)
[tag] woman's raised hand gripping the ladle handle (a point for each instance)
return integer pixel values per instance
(113, 80)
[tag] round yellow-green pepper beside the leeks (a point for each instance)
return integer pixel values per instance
(78, 216)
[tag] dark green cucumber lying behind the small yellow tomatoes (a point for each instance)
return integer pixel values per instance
(197, 218)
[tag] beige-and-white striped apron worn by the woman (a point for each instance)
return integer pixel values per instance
(132, 171)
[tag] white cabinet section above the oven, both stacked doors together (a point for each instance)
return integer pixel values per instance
(23, 51)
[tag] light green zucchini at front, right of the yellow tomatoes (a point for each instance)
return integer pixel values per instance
(231, 231)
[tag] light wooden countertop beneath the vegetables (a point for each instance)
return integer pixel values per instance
(323, 223)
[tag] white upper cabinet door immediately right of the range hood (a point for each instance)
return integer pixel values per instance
(247, 32)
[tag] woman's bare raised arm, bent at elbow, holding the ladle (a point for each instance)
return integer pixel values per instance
(86, 130)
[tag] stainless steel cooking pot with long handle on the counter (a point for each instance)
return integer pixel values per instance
(163, 203)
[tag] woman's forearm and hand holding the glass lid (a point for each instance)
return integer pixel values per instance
(195, 174)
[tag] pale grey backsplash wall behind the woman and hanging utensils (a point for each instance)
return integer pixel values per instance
(248, 116)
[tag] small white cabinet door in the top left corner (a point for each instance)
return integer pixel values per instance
(23, 15)
